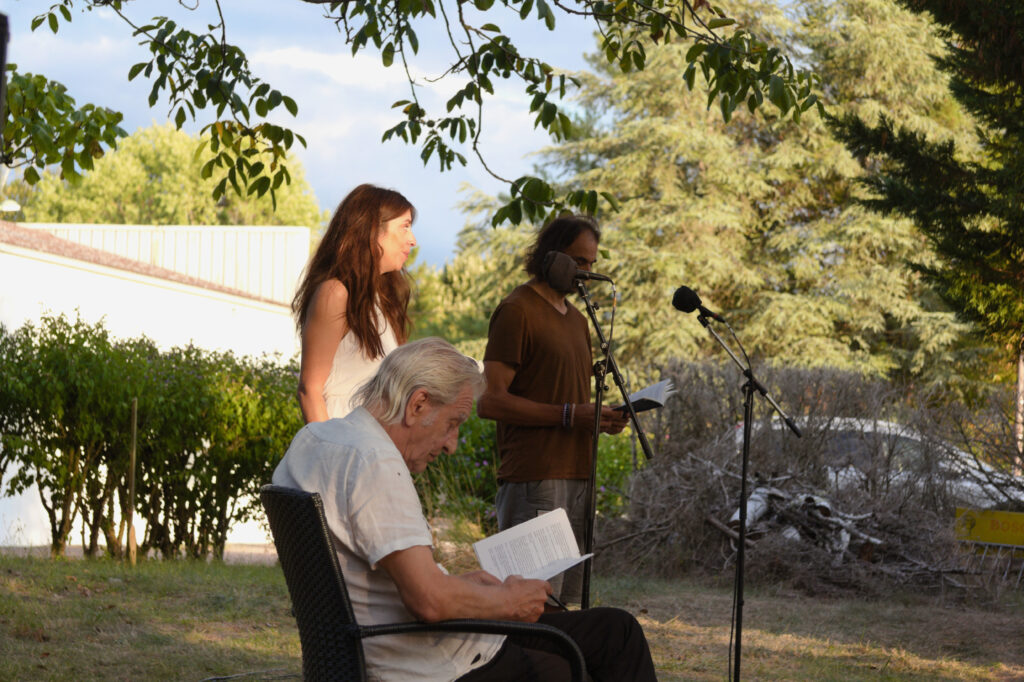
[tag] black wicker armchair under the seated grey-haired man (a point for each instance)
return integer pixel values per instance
(332, 642)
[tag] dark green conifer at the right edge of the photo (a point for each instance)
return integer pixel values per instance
(966, 199)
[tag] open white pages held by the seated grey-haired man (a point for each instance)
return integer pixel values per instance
(540, 548)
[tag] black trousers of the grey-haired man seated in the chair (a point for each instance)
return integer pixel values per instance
(614, 647)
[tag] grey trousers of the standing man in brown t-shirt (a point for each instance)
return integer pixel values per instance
(517, 503)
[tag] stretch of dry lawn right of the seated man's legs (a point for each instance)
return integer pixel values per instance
(794, 637)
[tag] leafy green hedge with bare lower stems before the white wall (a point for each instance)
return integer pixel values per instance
(211, 428)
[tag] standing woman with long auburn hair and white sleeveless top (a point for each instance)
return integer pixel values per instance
(352, 307)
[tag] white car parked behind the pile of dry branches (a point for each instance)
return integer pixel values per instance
(862, 453)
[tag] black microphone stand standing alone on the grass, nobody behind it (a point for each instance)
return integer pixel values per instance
(750, 387)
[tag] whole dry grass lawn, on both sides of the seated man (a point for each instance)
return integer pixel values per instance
(185, 621)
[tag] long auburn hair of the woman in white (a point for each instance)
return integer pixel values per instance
(350, 252)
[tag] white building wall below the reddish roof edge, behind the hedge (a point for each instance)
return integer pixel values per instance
(172, 314)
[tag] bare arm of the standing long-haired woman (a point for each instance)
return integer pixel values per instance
(326, 326)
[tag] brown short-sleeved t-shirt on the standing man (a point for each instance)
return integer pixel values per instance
(551, 355)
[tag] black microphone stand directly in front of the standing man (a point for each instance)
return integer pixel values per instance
(602, 369)
